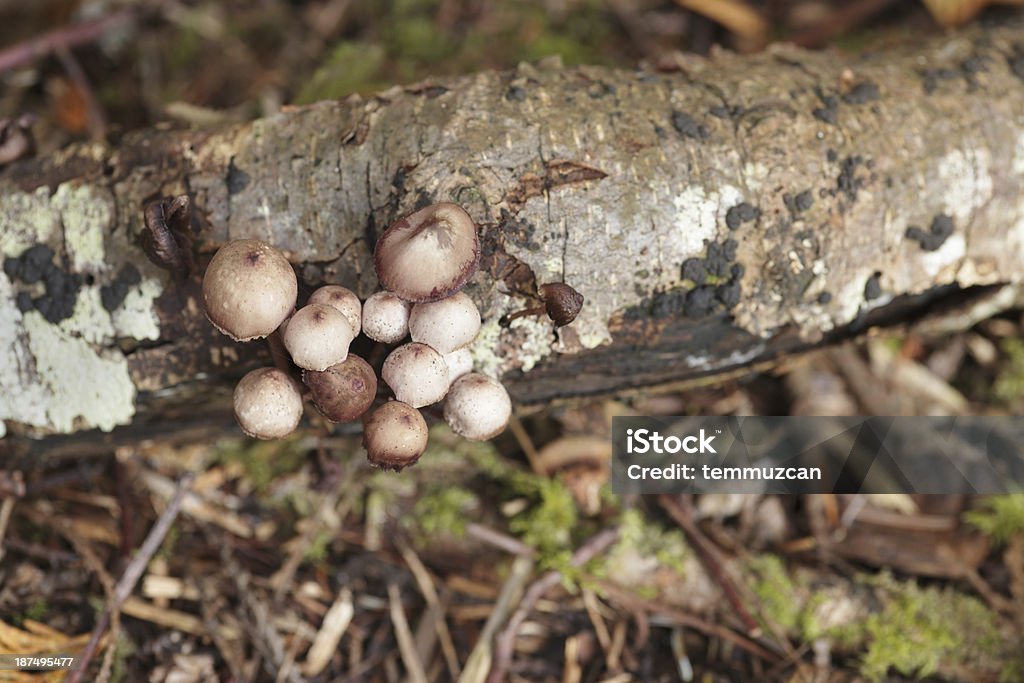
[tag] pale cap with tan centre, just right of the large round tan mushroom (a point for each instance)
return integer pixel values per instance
(318, 336)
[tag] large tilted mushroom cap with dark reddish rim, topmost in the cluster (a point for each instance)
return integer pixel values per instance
(430, 254)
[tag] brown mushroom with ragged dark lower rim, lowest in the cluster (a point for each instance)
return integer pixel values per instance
(395, 436)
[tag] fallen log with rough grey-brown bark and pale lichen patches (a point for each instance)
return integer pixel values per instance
(849, 186)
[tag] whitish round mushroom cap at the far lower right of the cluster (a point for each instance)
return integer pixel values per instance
(478, 407)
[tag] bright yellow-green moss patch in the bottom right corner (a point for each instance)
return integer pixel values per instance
(923, 629)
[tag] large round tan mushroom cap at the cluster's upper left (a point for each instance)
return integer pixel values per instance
(249, 288)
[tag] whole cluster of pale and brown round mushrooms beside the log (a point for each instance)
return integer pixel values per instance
(422, 261)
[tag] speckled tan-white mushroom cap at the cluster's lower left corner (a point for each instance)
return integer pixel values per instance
(268, 404)
